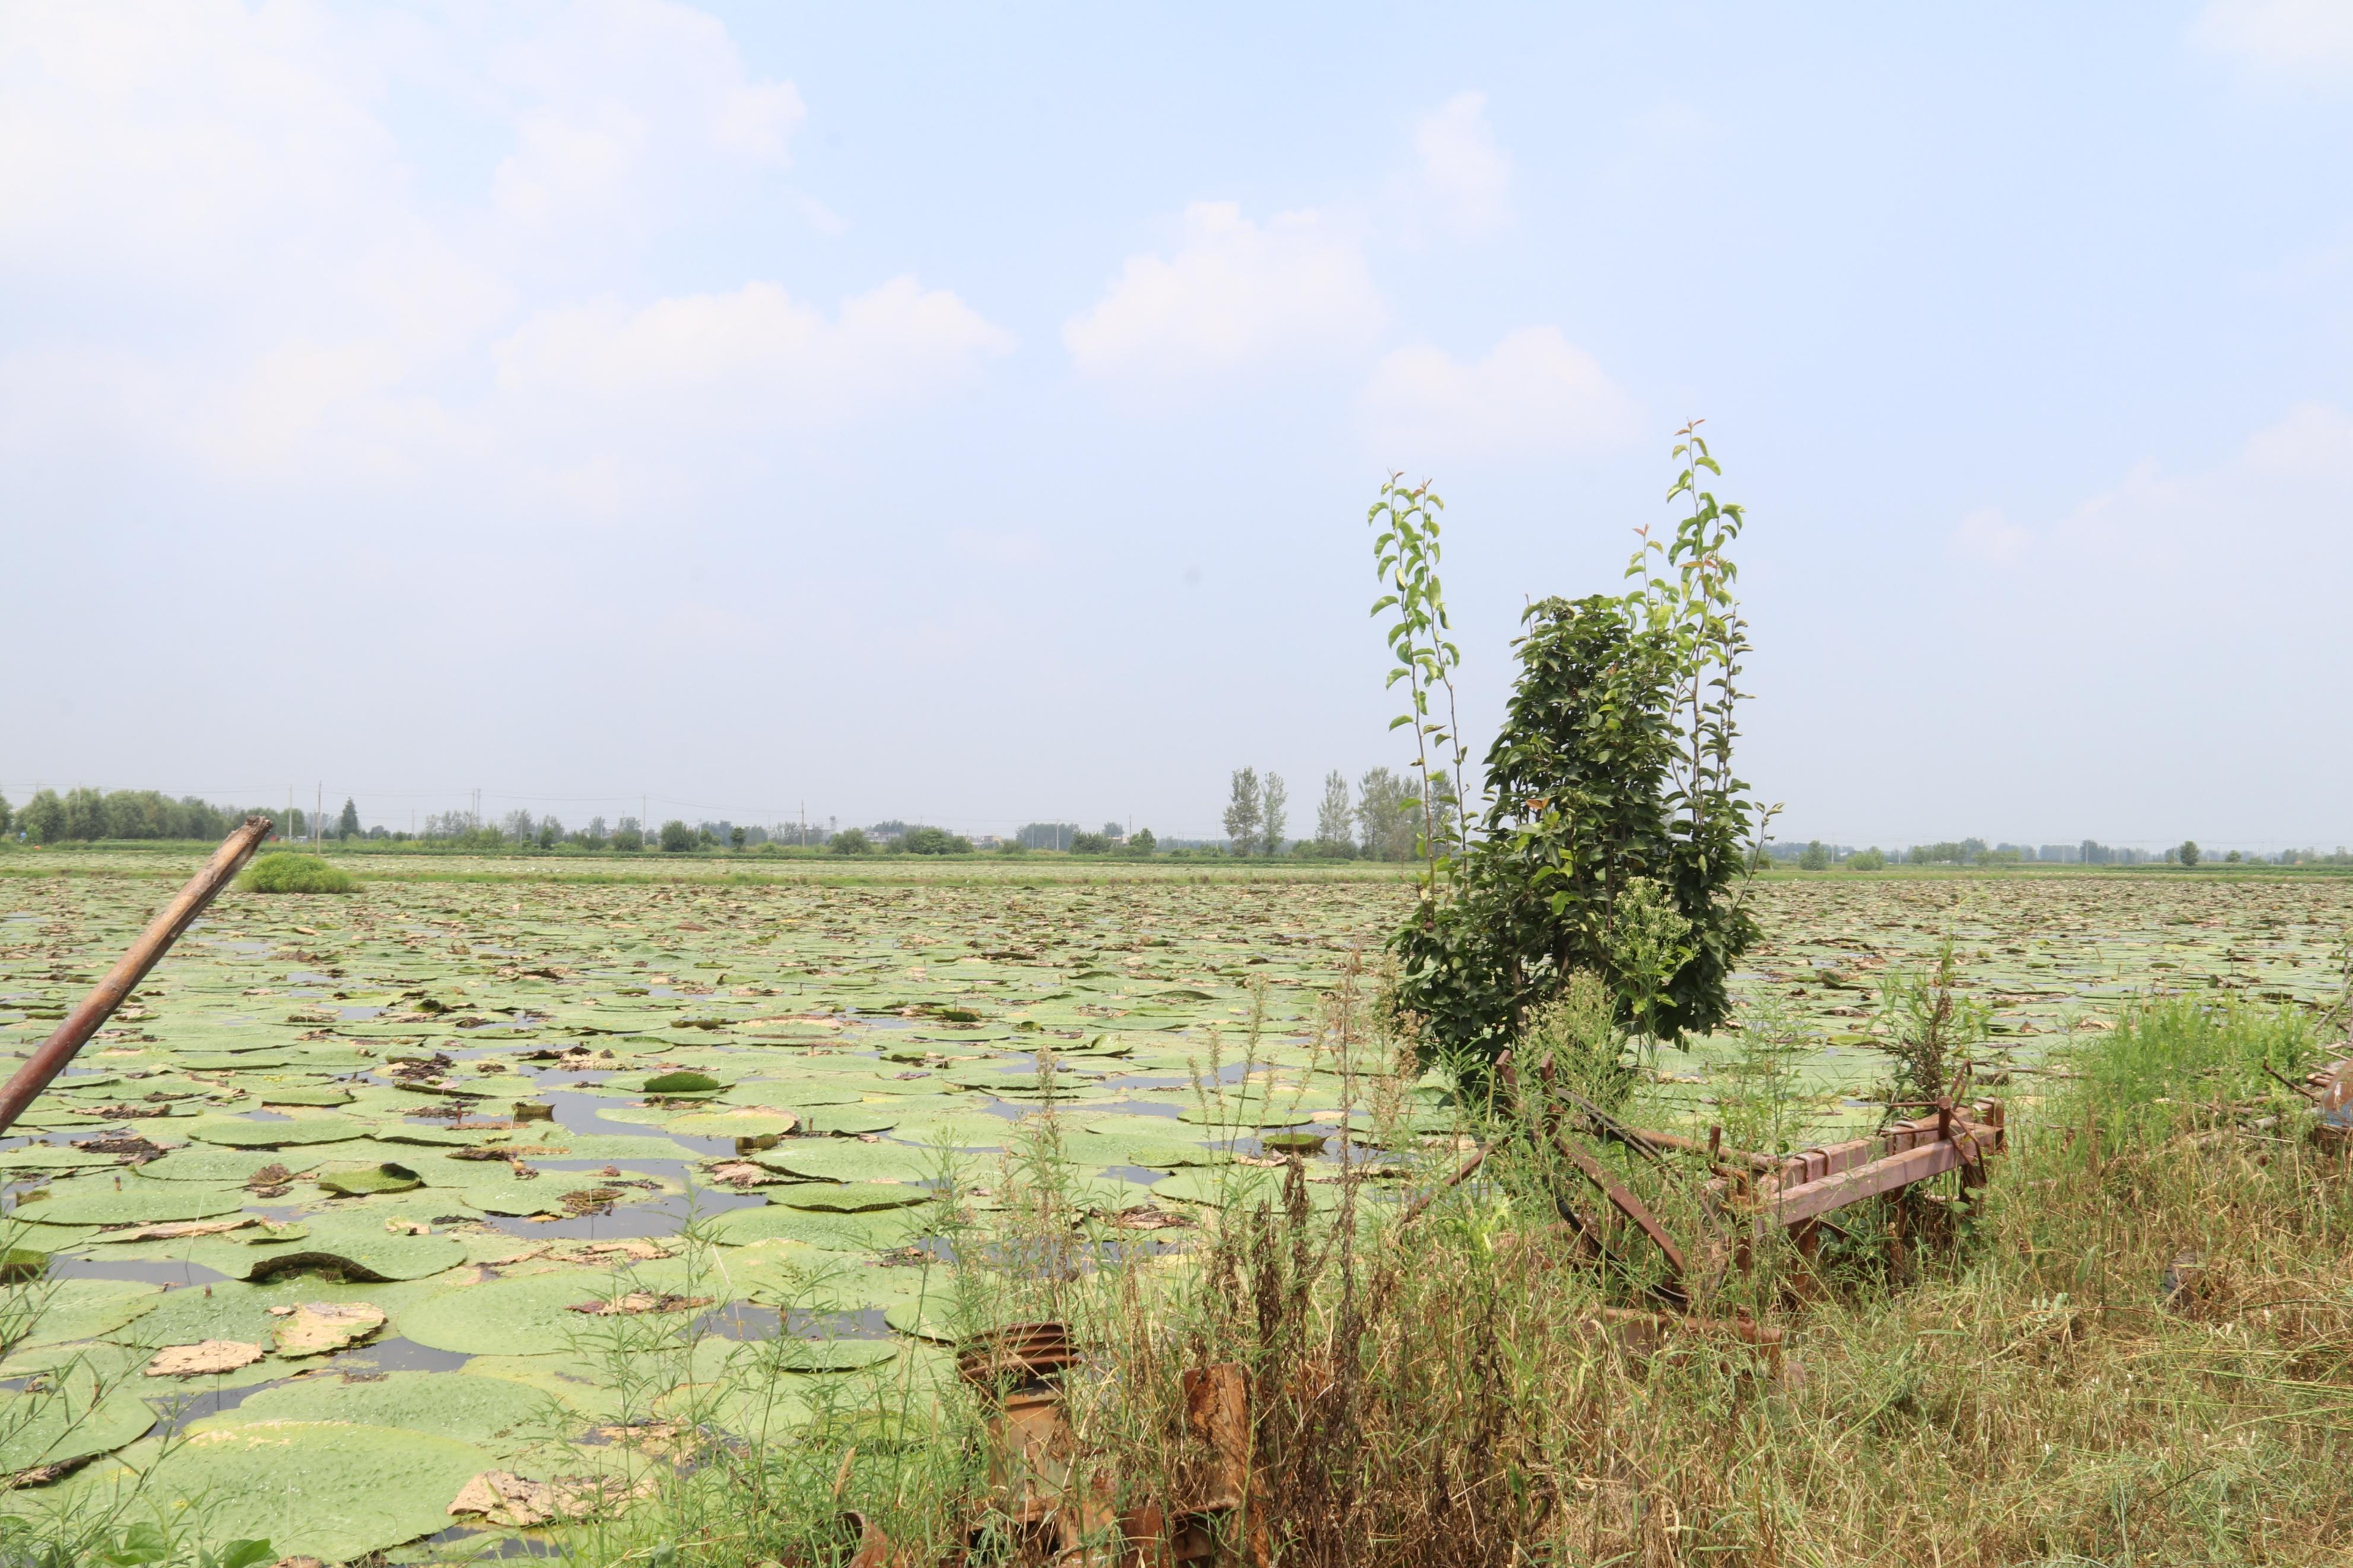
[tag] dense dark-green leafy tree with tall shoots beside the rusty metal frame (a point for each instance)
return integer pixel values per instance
(1618, 836)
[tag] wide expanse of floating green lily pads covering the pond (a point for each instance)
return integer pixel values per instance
(406, 1174)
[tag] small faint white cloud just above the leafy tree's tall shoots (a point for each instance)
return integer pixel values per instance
(1533, 394)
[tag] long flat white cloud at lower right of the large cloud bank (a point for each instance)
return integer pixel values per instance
(754, 354)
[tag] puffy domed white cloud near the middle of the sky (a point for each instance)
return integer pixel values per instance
(1232, 297)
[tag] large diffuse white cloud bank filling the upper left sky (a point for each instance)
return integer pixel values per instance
(251, 262)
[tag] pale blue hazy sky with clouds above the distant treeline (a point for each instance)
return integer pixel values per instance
(971, 410)
